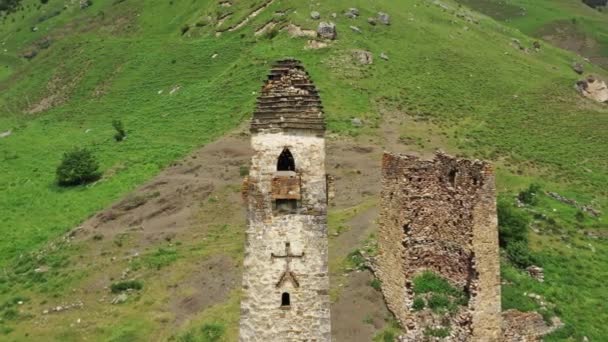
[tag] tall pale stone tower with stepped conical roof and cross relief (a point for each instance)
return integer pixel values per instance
(285, 278)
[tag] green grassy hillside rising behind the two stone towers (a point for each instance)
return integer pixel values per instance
(180, 74)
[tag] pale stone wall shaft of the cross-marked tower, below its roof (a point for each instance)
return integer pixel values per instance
(306, 278)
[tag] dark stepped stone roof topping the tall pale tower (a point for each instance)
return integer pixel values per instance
(288, 100)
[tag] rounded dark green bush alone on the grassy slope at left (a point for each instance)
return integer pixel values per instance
(78, 167)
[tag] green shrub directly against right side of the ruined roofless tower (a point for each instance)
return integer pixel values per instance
(512, 224)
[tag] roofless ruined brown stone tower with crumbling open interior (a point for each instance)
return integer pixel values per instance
(440, 215)
